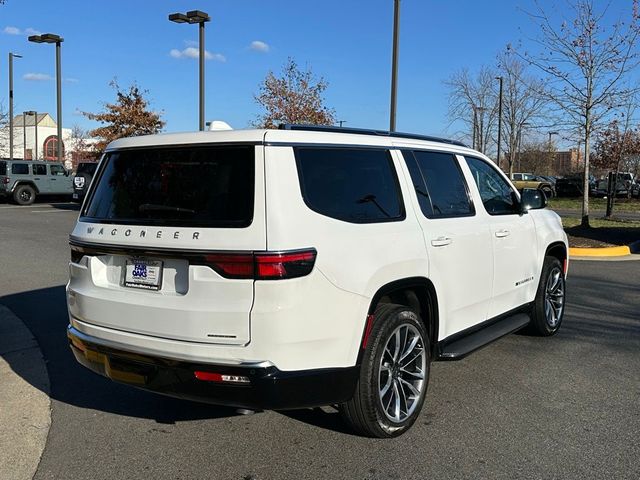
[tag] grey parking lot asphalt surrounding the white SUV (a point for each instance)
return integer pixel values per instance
(563, 407)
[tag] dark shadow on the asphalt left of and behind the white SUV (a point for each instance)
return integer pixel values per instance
(44, 312)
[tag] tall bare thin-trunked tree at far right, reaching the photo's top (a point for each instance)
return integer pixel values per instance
(586, 62)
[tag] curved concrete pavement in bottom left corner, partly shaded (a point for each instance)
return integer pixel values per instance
(25, 407)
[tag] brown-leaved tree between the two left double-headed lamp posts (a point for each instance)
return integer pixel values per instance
(129, 116)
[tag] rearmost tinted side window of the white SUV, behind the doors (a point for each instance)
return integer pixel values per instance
(350, 184)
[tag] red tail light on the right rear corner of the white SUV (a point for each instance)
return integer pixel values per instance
(263, 265)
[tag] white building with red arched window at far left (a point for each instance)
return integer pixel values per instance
(35, 137)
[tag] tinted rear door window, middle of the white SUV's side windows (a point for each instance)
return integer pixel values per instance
(440, 186)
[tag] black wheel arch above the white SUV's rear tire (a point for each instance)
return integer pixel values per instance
(417, 293)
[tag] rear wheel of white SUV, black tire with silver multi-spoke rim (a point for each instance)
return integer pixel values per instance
(365, 412)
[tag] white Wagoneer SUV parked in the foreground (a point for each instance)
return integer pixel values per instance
(306, 266)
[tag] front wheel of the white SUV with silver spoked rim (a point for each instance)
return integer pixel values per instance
(548, 306)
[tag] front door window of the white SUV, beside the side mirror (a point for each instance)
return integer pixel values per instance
(497, 195)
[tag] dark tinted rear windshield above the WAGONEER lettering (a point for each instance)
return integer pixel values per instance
(200, 186)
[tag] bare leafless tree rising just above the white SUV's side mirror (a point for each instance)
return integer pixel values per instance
(523, 104)
